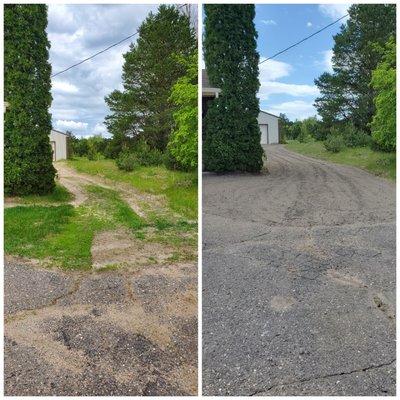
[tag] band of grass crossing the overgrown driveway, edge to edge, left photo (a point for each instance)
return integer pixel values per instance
(62, 235)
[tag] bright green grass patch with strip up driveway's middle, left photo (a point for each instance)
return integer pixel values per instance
(63, 236)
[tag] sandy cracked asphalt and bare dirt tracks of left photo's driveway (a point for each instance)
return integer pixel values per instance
(130, 331)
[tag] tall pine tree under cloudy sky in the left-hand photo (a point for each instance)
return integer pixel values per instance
(150, 70)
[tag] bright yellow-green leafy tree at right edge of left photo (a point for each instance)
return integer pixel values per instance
(183, 141)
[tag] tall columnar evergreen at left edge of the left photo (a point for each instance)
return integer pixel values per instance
(28, 164)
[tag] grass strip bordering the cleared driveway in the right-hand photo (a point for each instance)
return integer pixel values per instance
(376, 162)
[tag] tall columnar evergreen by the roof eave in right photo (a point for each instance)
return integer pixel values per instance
(231, 131)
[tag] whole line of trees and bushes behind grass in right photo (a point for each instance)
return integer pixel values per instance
(357, 102)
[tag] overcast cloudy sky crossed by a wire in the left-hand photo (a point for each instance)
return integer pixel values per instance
(77, 31)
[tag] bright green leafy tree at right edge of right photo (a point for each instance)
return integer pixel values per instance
(383, 81)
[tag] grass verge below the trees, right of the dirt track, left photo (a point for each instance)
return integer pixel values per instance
(180, 188)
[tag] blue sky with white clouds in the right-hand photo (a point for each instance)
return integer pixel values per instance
(287, 82)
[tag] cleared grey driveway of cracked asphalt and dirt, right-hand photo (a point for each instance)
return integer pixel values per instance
(298, 280)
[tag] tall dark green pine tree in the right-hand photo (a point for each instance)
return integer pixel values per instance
(346, 94)
